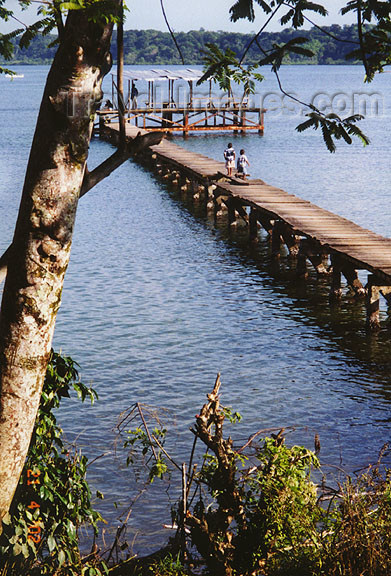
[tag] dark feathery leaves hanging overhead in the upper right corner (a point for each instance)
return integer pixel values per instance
(374, 41)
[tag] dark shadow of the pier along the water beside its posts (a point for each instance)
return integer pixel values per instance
(343, 324)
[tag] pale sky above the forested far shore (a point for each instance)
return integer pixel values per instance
(185, 15)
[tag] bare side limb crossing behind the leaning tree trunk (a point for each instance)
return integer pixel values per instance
(91, 179)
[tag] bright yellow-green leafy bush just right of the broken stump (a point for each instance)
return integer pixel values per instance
(282, 514)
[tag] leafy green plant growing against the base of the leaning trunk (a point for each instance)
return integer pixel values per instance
(53, 498)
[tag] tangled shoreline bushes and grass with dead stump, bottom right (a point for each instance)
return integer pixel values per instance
(256, 509)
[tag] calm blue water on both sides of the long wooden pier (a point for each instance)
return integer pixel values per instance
(157, 299)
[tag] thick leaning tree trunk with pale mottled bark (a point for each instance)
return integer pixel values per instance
(43, 235)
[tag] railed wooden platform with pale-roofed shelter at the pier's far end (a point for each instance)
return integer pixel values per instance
(182, 110)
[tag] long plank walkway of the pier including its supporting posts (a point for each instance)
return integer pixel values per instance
(333, 245)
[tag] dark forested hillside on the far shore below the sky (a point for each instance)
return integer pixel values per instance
(155, 47)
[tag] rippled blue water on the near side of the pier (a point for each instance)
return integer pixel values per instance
(181, 320)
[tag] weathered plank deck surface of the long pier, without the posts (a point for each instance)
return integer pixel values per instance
(364, 248)
